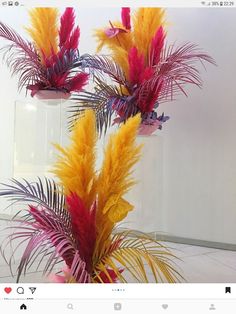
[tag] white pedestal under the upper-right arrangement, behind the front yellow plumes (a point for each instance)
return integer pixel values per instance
(146, 195)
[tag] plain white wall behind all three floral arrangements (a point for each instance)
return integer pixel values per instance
(198, 142)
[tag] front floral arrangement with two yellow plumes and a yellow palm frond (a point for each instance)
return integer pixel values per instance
(75, 221)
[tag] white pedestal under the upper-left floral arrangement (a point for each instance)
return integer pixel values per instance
(38, 125)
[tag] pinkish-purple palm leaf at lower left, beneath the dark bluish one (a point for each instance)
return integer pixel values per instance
(47, 240)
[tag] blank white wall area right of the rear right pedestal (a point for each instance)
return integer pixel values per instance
(199, 140)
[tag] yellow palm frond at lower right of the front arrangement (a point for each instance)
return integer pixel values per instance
(141, 256)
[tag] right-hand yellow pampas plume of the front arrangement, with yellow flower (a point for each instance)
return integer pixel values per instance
(114, 181)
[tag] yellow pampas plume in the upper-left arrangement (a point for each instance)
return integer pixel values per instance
(44, 29)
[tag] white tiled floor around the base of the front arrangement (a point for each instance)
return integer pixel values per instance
(196, 264)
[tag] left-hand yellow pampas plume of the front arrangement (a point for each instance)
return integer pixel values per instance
(76, 165)
